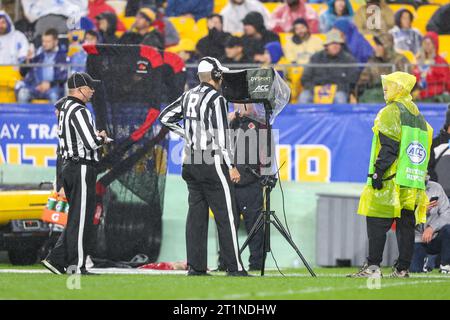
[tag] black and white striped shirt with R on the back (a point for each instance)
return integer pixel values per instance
(204, 113)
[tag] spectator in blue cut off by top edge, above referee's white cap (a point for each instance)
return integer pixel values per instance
(197, 9)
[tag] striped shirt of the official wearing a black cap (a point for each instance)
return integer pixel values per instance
(76, 132)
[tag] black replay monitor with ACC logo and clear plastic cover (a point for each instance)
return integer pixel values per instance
(263, 87)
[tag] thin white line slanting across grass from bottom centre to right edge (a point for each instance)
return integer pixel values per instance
(324, 289)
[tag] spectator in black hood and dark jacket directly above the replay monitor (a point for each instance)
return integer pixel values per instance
(255, 33)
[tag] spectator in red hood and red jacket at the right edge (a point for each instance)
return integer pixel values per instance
(432, 71)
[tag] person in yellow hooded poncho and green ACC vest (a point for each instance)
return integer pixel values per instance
(395, 189)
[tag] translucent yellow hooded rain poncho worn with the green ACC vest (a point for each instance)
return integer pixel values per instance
(393, 197)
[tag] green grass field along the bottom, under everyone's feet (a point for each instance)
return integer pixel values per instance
(297, 284)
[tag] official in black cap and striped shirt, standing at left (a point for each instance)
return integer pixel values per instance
(79, 142)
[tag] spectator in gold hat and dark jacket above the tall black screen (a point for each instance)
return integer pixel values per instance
(142, 31)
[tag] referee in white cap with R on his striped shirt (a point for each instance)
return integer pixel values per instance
(208, 168)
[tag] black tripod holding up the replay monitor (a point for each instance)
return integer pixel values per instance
(267, 216)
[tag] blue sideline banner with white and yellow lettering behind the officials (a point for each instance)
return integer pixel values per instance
(317, 143)
